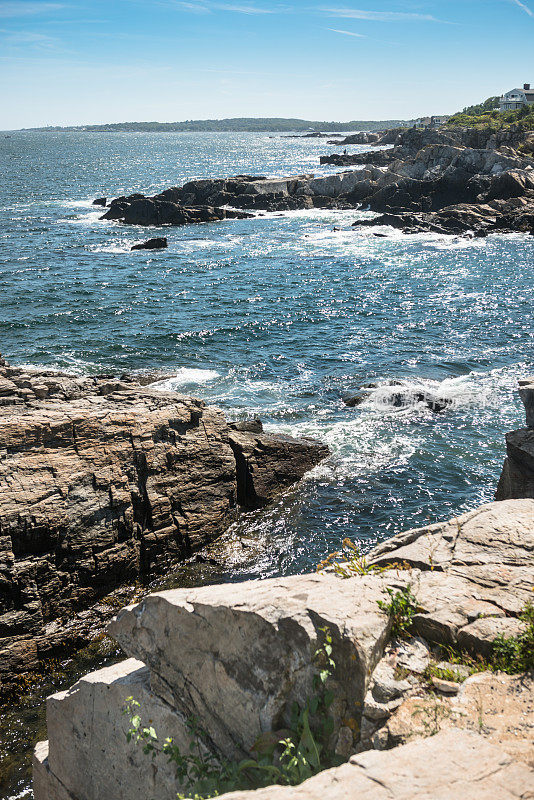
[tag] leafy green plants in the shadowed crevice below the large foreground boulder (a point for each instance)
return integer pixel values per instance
(285, 757)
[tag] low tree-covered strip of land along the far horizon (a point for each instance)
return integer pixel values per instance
(240, 124)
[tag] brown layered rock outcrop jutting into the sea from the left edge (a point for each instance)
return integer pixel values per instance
(103, 482)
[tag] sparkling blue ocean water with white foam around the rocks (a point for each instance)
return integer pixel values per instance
(278, 317)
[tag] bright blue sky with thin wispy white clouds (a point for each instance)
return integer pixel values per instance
(89, 61)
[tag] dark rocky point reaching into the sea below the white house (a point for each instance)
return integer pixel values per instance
(458, 181)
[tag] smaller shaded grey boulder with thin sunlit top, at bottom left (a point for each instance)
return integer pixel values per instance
(88, 753)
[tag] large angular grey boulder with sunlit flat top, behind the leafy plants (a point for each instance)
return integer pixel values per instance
(237, 656)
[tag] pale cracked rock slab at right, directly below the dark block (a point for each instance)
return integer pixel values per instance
(478, 565)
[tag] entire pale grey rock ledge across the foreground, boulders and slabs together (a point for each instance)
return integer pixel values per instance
(237, 656)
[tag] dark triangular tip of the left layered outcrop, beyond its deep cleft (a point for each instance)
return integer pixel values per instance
(267, 464)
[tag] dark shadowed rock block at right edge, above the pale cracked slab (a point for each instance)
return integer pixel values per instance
(517, 478)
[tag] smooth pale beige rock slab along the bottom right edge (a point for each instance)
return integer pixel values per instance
(447, 766)
